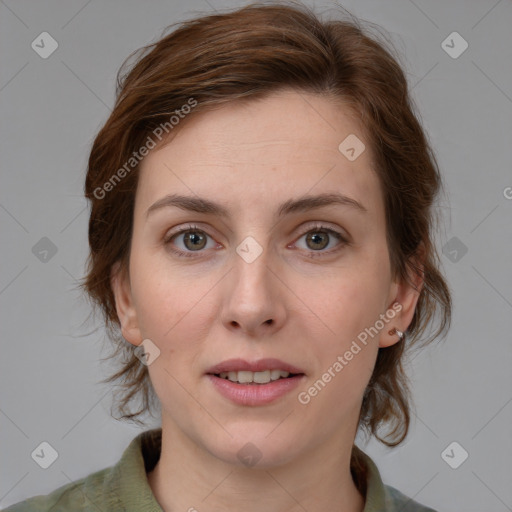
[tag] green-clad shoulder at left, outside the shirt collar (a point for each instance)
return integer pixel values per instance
(89, 493)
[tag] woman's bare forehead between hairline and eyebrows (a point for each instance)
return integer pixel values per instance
(285, 144)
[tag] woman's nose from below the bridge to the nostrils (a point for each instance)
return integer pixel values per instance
(253, 297)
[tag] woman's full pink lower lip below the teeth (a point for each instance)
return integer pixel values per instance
(255, 394)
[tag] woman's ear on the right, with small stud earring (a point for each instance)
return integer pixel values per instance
(406, 294)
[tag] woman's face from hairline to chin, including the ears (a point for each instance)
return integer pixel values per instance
(277, 250)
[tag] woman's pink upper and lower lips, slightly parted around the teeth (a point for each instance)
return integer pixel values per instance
(254, 394)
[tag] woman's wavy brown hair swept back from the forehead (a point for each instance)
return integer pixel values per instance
(246, 54)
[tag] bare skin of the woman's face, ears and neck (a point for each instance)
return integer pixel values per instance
(201, 310)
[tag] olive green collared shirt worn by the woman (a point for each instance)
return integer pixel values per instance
(124, 486)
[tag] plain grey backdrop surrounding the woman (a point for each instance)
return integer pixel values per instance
(51, 109)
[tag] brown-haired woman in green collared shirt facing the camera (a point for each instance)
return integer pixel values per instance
(261, 237)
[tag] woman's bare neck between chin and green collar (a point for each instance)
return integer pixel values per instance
(189, 478)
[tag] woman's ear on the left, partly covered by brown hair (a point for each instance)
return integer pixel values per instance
(120, 283)
